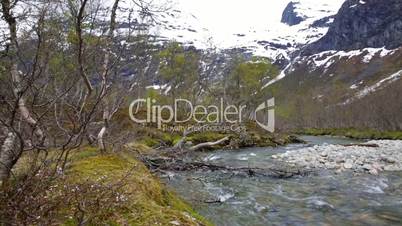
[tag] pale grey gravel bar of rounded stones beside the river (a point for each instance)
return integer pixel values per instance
(371, 157)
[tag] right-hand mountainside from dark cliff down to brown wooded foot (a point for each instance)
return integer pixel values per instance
(351, 76)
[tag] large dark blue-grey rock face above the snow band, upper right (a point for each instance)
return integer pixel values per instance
(362, 24)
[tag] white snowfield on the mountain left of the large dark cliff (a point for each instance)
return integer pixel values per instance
(270, 39)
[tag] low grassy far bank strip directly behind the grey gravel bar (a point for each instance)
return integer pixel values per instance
(352, 133)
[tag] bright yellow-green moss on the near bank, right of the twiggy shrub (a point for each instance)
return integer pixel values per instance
(150, 203)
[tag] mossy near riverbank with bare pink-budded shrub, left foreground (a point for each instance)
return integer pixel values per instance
(105, 188)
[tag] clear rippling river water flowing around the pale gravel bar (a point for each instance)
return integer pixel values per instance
(324, 198)
